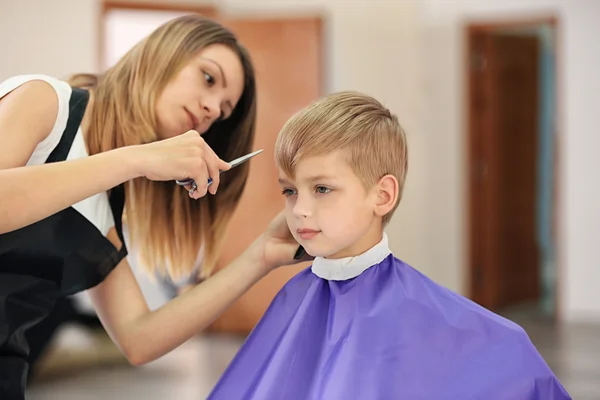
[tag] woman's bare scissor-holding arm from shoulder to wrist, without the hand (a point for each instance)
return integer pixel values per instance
(29, 194)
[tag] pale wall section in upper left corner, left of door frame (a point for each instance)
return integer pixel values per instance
(38, 36)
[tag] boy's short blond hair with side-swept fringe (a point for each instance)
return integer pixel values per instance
(371, 137)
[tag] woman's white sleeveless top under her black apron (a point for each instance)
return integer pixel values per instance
(95, 209)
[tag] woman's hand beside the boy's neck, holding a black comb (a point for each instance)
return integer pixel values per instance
(276, 246)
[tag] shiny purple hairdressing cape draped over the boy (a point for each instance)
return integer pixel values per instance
(390, 333)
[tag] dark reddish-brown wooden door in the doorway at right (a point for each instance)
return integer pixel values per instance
(503, 146)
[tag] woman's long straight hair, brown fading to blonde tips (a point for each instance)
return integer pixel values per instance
(167, 227)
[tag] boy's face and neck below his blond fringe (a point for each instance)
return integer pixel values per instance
(328, 210)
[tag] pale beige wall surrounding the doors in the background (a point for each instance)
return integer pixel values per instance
(408, 54)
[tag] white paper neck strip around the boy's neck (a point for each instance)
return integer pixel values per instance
(342, 269)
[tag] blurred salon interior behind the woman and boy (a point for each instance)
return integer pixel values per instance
(499, 99)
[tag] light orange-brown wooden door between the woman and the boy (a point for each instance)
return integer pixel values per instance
(287, 58)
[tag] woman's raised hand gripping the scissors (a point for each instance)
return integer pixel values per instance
(182, 157)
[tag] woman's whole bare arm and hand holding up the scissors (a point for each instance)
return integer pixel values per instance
(31, 193)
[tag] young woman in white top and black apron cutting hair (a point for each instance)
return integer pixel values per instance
(75, 157)
